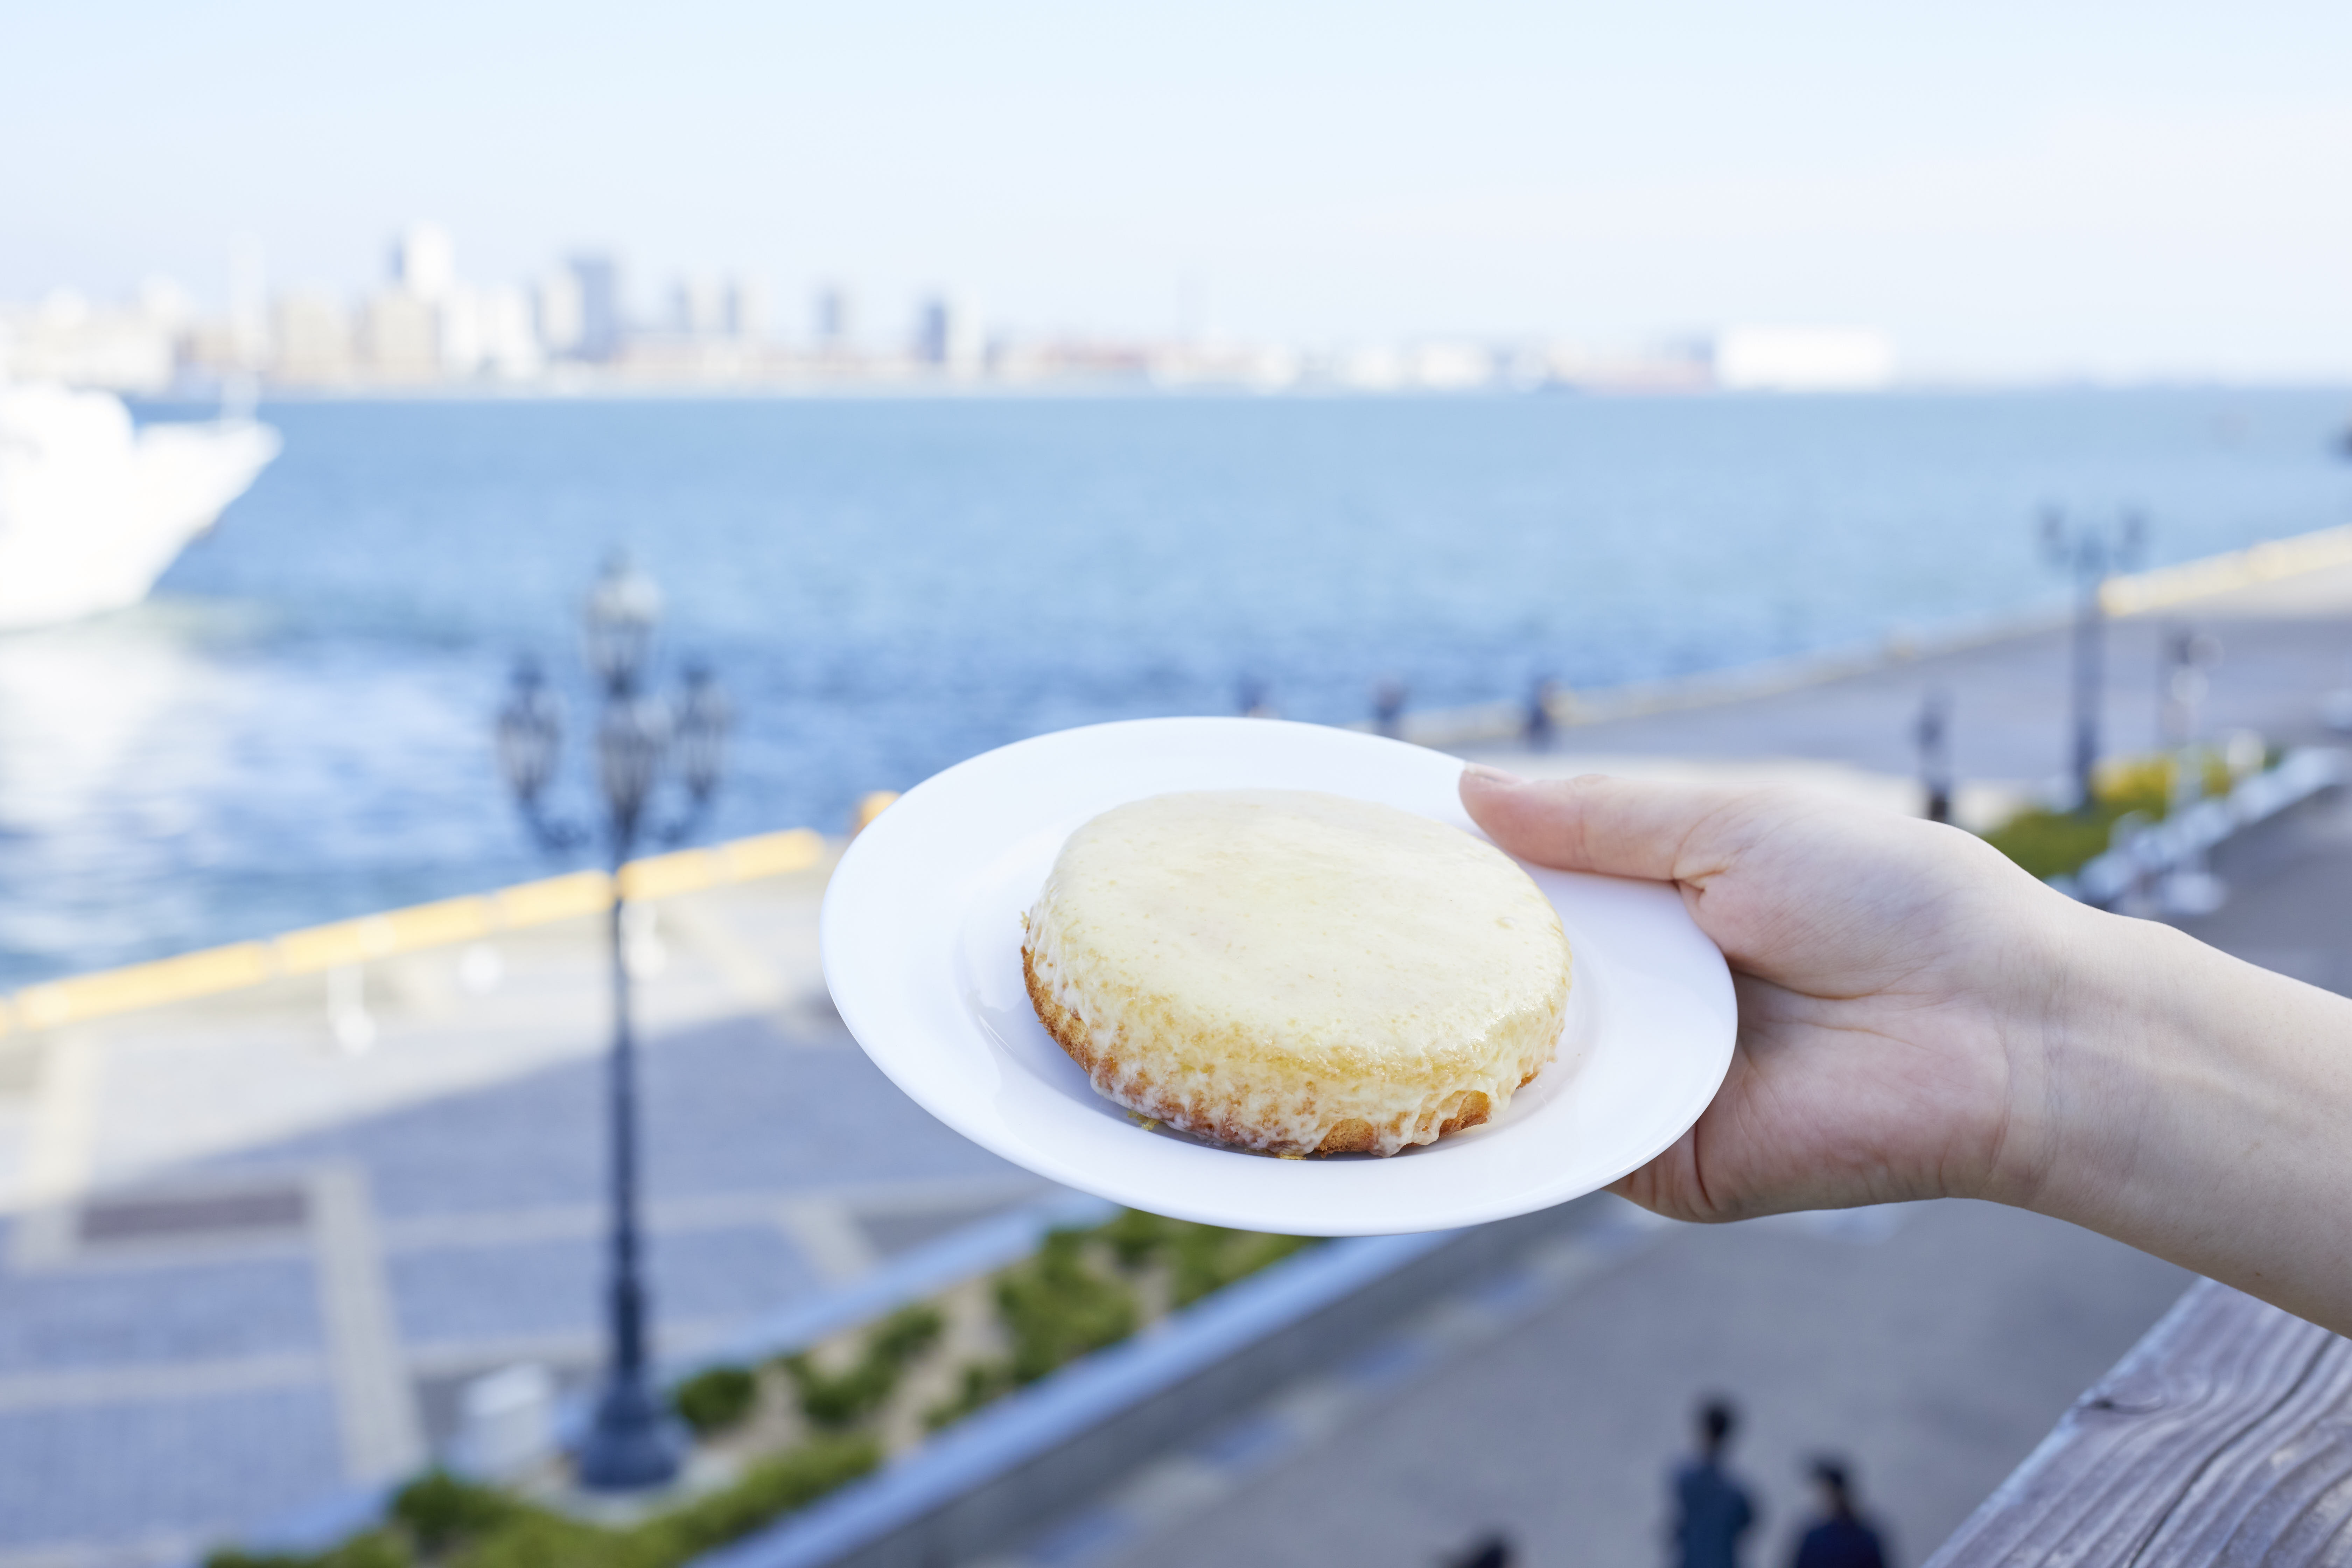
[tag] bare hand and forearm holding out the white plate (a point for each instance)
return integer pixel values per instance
(1923, 1019)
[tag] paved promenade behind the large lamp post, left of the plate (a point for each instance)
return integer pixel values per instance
(248, 1266)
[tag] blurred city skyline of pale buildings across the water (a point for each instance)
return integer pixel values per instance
(577, 328)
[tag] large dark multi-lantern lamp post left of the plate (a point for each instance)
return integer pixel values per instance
(632, 1442)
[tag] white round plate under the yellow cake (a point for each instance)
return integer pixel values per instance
(923, 953)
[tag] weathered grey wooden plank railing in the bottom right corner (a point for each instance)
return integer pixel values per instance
(2224, 1438)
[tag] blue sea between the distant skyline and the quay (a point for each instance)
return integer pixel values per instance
(295, 728)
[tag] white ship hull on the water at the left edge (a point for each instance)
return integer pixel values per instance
(95, 511)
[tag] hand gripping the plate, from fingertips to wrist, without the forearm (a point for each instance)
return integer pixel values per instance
(1895, 986)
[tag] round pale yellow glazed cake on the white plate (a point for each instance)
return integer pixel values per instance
(1299, 958)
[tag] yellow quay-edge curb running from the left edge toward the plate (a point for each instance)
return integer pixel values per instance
(380, 937)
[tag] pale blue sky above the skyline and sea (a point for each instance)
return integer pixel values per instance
(2007, 189)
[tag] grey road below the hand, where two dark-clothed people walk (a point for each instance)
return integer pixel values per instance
(1932, 1346)
